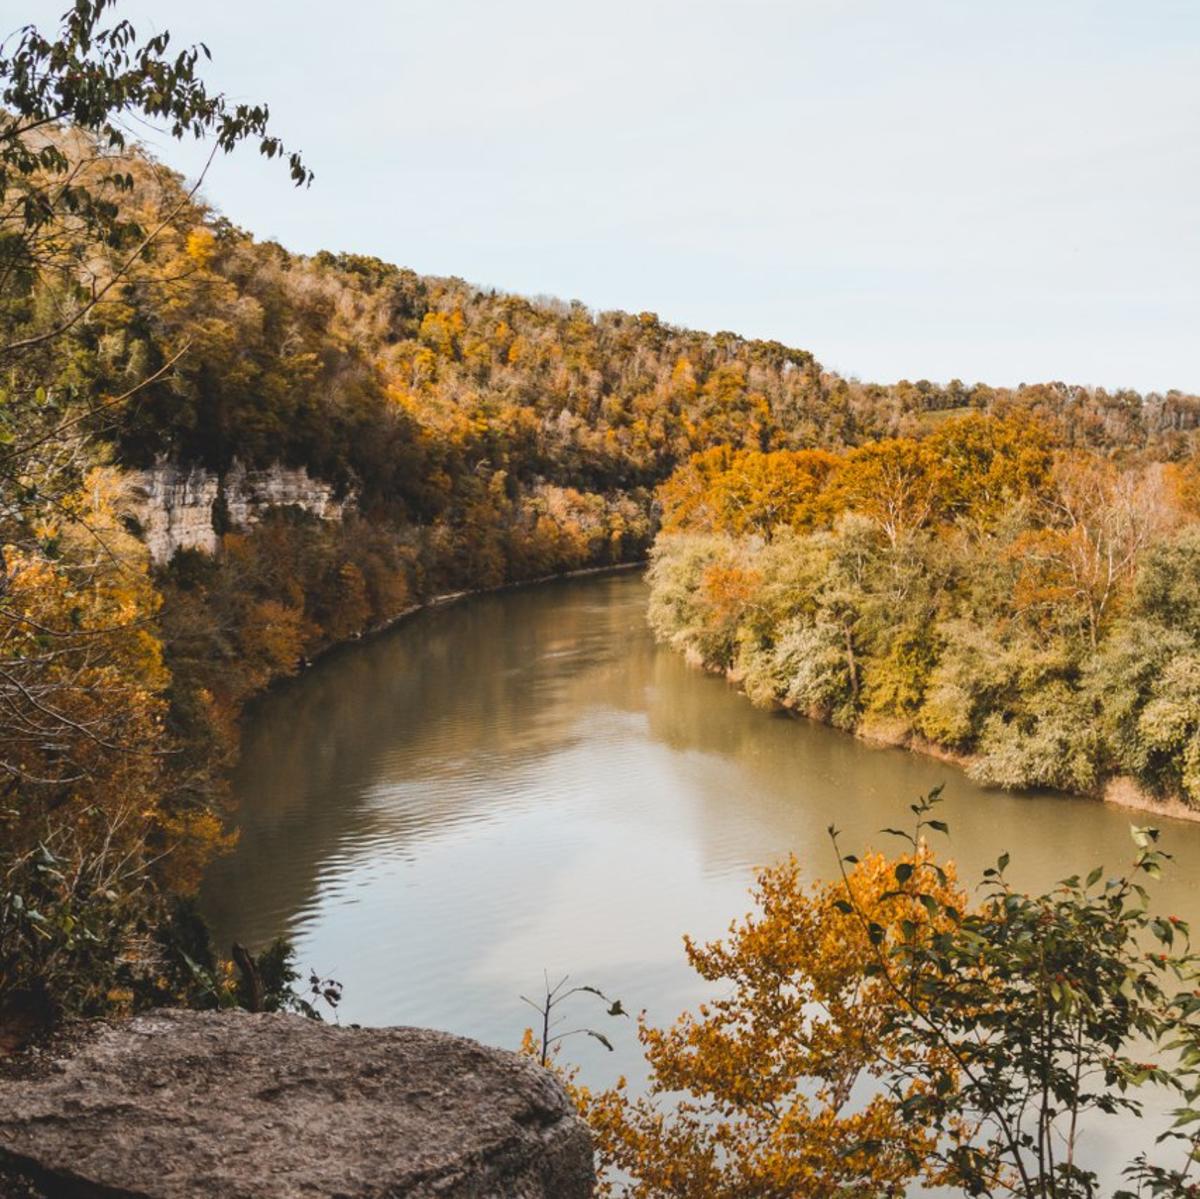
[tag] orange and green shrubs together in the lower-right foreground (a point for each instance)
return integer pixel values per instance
(878, 1032)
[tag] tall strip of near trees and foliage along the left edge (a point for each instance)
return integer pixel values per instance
(93, 832)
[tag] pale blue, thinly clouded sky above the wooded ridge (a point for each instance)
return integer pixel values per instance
(909, 189)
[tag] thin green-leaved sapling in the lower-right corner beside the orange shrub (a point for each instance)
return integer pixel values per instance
(1030, 1012)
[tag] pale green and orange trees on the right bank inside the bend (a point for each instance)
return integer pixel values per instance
(1034, 609)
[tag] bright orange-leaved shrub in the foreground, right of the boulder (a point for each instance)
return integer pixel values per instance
(770, 1072)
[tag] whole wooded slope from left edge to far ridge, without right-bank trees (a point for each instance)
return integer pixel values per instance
(471, 437)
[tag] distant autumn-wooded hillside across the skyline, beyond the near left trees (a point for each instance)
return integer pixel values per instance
(484, 437)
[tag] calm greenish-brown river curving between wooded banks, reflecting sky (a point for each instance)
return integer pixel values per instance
(524, 783)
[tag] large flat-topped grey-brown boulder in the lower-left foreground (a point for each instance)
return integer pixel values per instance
(199, 1106)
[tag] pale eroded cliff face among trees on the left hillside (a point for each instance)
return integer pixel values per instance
(179, 508)
